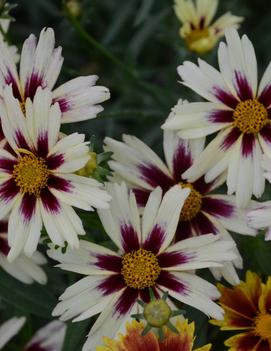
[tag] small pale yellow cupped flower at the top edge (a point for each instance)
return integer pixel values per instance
(197, 30)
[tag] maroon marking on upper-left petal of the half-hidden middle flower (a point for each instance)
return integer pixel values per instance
(155, 177)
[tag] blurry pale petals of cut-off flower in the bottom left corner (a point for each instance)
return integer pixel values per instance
(48, 338)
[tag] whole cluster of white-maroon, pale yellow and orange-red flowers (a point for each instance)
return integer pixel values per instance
(165, 218)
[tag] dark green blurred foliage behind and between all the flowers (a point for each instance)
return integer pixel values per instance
(134, 46)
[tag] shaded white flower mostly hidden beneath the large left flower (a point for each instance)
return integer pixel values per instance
(23, 268)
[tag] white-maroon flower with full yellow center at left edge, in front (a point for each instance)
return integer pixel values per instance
(37, 181)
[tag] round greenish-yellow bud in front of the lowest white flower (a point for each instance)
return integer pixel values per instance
(157, 313)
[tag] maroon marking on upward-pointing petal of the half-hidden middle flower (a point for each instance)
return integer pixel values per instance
(182, 160)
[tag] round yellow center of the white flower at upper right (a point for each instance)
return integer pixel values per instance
(250, 116)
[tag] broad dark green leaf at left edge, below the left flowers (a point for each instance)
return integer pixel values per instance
(34, 299)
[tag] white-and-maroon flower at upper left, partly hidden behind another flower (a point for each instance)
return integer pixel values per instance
(40, 66)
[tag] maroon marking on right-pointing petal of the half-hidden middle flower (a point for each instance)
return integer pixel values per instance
(217, 207)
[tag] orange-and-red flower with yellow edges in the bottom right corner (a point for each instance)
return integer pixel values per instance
(248, 313)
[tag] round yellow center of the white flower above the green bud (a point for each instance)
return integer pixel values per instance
(140, 269)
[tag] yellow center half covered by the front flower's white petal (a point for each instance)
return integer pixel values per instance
(192, 204)
